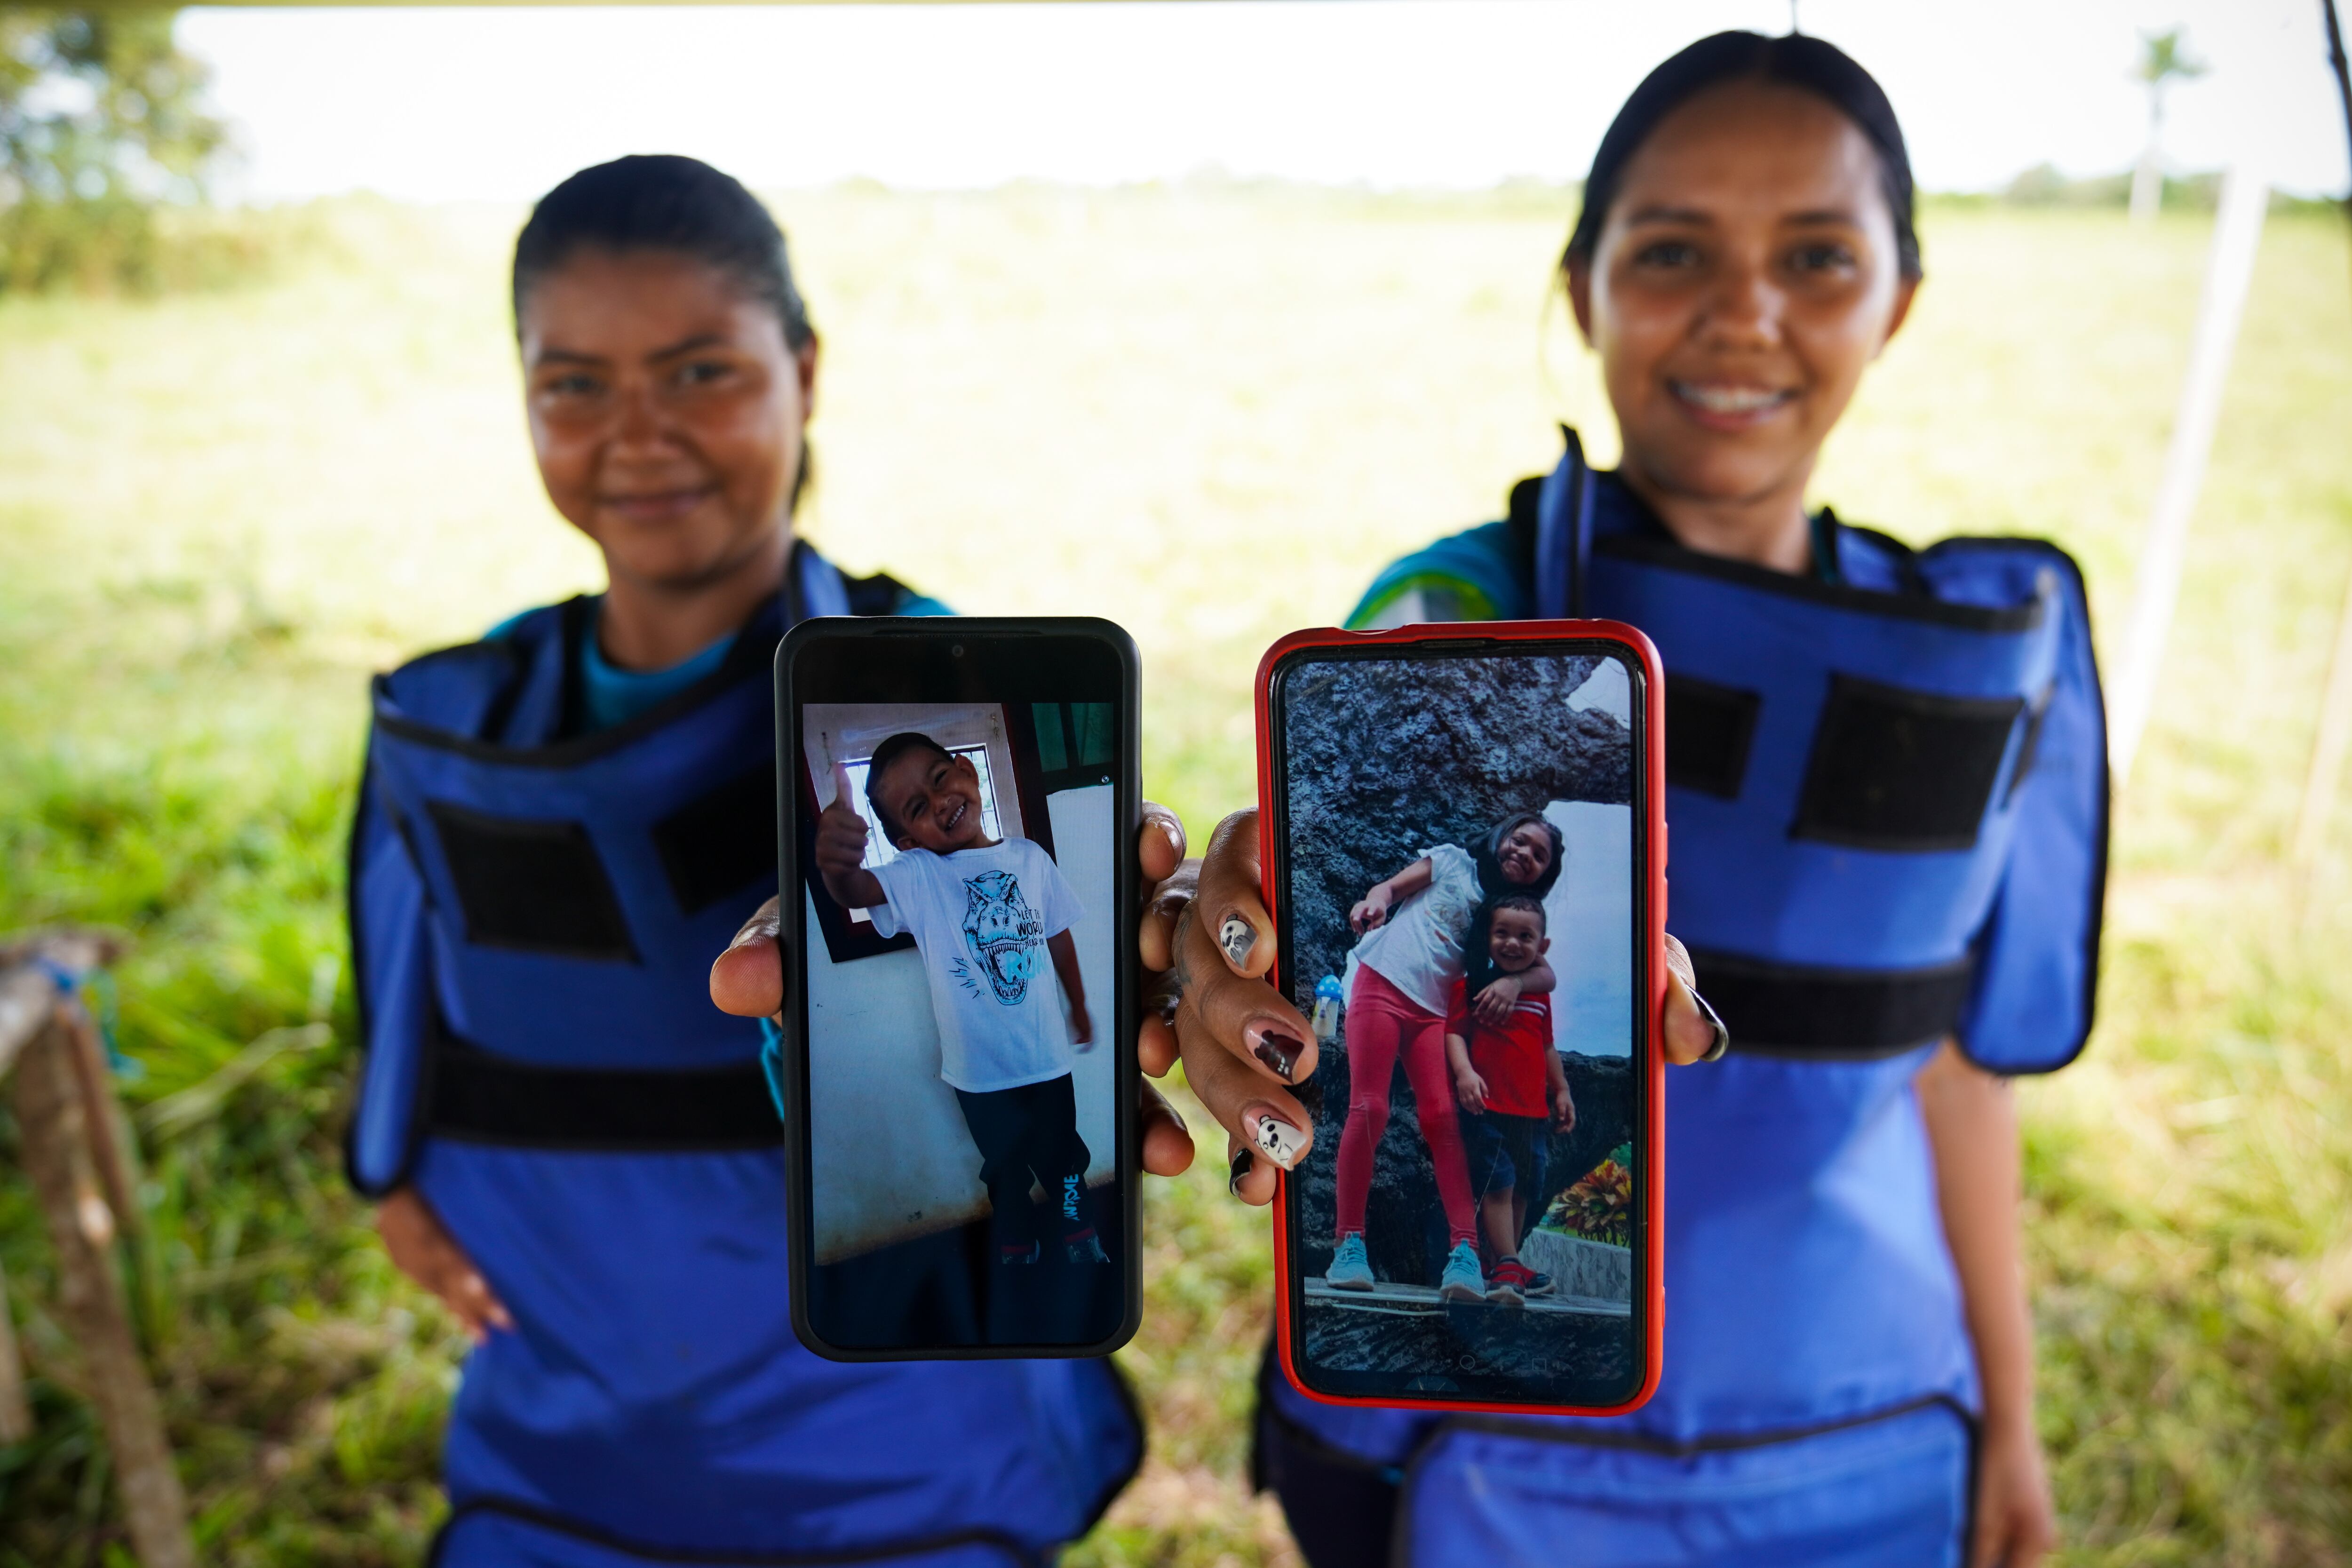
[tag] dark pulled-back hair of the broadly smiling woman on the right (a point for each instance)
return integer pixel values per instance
(1810, 65)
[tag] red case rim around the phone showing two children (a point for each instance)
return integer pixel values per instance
(1652, 1264)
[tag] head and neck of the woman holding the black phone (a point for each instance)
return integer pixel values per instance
(669, 370)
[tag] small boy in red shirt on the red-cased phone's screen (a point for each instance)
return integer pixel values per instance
(1514, 1092)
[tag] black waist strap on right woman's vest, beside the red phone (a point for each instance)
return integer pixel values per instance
(1793, 1010)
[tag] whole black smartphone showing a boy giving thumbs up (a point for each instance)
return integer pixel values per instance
(961, 810)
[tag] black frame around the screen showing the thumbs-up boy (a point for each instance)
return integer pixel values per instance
(1034, 657)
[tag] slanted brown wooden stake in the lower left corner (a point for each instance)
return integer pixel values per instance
(55, 1139)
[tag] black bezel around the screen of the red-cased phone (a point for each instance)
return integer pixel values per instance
(1464, 643)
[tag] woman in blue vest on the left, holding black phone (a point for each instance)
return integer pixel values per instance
(559, 826)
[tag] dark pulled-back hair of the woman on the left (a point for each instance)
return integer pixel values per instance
(667, 203)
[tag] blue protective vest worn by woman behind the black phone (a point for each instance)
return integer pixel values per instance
(533, 918)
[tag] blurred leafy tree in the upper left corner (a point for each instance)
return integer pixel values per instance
(100, 126)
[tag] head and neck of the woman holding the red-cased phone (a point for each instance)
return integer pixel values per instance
(1746, 250)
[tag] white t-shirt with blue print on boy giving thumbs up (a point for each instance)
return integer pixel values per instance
(982, 920)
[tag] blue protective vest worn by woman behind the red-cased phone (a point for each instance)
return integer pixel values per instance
(1887, 810)
